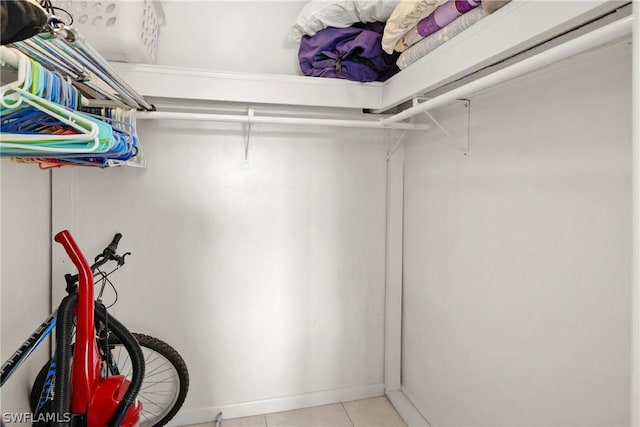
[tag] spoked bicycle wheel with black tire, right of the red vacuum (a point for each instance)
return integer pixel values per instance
(166, 380)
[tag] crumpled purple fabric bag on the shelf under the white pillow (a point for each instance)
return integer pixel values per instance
(353, 53)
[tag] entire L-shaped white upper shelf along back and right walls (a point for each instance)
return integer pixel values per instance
(520, 25)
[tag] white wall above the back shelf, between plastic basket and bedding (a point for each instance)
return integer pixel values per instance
(241, 36)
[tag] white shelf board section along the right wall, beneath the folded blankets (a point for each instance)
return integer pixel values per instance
(518, 26)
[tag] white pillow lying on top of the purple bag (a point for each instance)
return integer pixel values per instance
(320, 14)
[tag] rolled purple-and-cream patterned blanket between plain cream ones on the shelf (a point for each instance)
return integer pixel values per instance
(442, 16)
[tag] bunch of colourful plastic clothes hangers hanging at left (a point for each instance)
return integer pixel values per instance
(36, 129)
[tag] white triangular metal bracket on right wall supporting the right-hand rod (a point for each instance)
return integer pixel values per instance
(452, 122)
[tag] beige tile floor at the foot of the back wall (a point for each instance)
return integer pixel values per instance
(374, 412)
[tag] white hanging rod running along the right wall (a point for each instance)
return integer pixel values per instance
(579, 44)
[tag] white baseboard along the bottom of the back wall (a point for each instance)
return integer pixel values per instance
(278, 404)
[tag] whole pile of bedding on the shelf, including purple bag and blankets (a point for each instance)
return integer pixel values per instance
(362, 40)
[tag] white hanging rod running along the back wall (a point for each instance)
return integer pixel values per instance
(235, 118)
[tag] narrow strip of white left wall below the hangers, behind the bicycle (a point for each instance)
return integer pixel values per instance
(25, 279)
